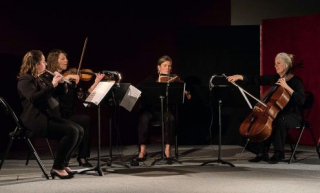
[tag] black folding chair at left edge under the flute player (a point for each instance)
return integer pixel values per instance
(20, 132)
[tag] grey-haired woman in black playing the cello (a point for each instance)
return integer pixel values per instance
(290, 116)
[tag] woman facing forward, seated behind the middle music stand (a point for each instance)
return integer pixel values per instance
(148, 113)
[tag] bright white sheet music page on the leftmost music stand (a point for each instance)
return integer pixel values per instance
(99, 92)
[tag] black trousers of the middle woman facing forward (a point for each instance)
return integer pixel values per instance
(145, 119)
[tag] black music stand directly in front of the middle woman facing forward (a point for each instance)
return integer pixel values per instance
(173, 93)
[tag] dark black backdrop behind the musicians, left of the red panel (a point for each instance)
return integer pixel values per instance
(130, 38)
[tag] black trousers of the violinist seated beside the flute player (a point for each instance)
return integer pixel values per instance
(84, 121)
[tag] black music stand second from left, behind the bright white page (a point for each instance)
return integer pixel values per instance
(114, 98)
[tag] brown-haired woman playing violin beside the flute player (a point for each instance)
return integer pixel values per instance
(57, 61)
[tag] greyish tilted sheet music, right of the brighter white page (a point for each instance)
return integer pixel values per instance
(130, 98)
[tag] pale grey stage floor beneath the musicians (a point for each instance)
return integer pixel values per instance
(190, 175)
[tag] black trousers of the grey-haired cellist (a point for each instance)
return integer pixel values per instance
(278, 137)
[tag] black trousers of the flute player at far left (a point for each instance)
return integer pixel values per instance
(68, 134)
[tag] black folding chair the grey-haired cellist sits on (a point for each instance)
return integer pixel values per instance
(305, 124)
